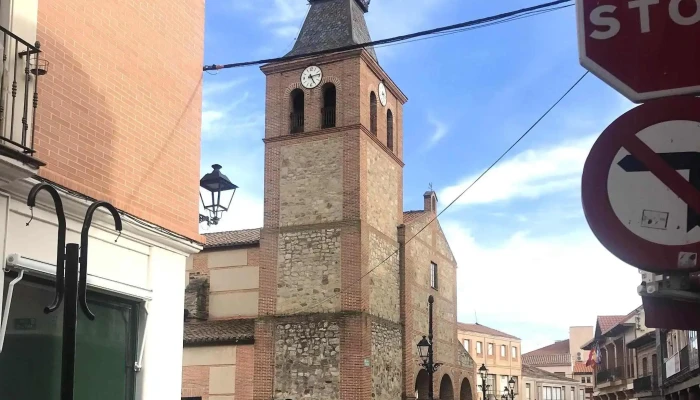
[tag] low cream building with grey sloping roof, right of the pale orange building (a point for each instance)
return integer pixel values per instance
(539, 384)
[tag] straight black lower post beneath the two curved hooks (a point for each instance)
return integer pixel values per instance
(70, 322)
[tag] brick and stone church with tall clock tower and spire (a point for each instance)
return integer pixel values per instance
(343, 273)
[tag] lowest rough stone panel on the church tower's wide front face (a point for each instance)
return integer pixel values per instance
(307, 358)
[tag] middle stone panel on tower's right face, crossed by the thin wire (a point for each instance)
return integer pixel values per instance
(384, 296)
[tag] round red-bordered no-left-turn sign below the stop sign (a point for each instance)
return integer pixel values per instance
(641, 186)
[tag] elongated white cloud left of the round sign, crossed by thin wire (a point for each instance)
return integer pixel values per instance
(530, 174)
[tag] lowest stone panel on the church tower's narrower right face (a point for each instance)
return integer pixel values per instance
(386, 361)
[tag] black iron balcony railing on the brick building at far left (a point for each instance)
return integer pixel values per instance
(19, 82)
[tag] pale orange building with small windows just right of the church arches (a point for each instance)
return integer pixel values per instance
(498, 351)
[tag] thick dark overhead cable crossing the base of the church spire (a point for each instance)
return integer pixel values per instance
(482, 22)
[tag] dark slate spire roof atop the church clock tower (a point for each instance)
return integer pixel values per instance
(332, 24)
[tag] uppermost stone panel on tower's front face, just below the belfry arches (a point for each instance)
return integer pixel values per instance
(311, 182)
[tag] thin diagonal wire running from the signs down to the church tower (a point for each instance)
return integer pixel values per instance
(486, 171)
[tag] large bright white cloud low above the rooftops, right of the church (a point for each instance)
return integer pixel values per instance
(555, 281)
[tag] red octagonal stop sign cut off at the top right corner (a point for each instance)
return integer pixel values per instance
(643, 48)
